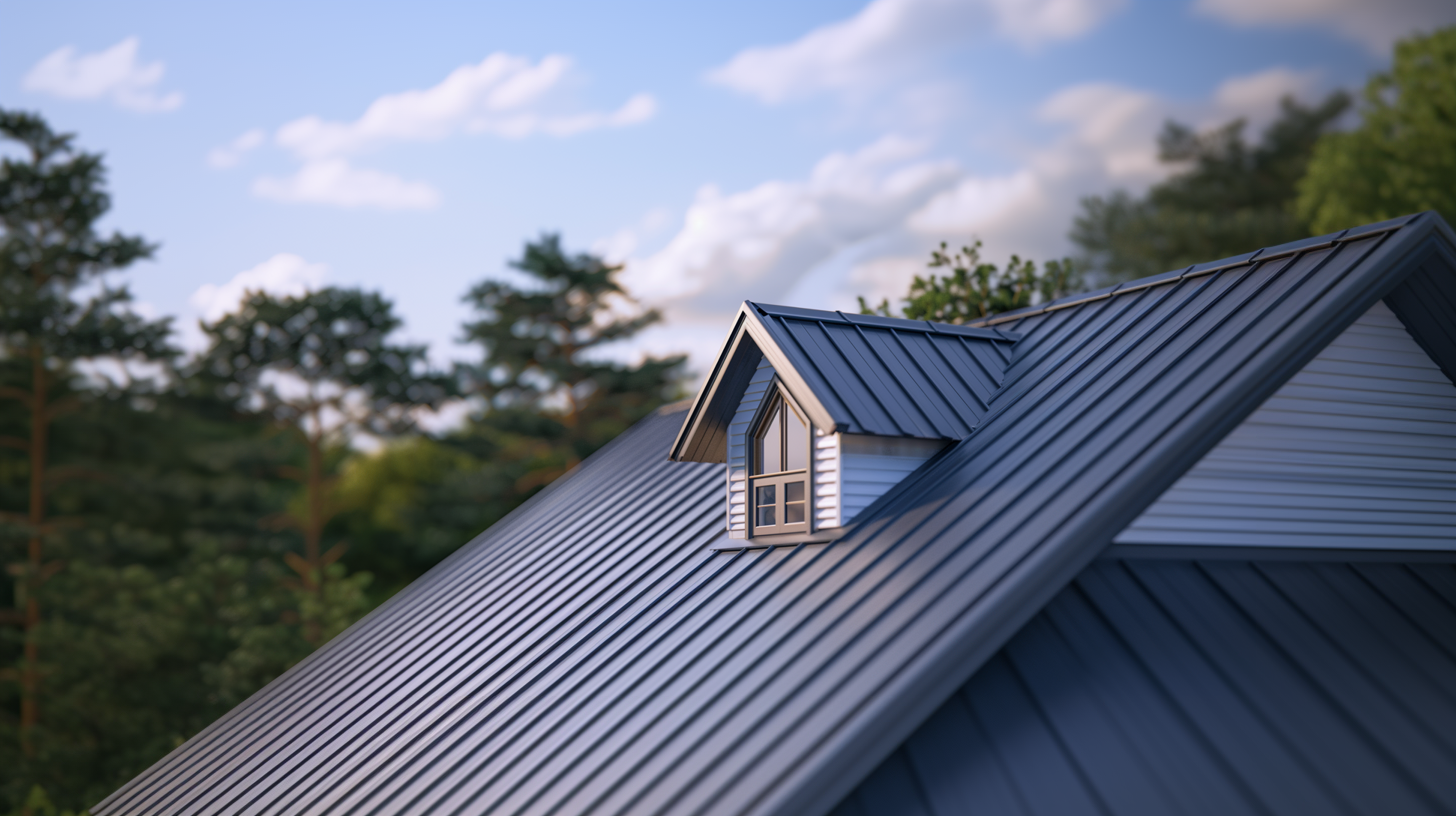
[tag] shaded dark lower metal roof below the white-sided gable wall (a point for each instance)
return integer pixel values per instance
(1221, 688)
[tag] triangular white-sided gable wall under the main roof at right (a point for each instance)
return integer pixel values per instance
(1358, 451)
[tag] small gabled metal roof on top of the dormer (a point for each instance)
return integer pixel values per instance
(852, 374)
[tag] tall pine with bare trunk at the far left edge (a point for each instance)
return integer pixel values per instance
(50, 250)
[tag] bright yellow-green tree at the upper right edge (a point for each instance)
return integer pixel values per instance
(1403, 157)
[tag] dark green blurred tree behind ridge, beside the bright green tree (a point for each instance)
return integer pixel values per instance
(1228, 197)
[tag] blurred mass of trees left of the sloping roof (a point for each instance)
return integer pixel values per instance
(178, 531)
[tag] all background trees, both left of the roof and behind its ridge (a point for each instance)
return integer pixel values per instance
(180, 533)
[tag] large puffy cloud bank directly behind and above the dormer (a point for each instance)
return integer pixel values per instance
(864, 222)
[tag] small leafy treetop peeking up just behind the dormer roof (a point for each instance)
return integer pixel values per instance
(976, 289)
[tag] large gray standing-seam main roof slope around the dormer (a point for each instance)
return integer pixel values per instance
(593, 654)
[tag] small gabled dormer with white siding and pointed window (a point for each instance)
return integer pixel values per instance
(818, 415)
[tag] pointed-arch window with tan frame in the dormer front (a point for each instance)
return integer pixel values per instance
(780, 482)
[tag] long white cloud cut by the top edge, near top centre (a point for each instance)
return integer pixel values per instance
(889, 37)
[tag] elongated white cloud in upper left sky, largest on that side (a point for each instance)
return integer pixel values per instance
(503, 95)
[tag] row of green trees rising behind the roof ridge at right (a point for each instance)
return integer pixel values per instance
(1228, 196)
